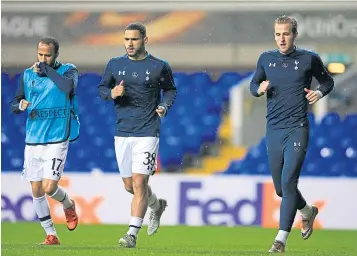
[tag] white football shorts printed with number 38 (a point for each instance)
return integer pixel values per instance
(136, 155)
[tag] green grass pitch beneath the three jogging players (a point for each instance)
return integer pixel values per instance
(21, 239)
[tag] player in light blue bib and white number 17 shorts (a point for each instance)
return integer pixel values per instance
(46, 92)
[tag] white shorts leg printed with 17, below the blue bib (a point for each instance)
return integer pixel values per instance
(54, 157)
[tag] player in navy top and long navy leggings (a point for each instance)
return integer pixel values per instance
(284, 75)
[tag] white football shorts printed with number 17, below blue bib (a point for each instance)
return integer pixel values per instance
(45, 161)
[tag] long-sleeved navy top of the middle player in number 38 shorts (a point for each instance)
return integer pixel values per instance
(144, 80)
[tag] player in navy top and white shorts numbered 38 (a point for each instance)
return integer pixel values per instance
(134, 83)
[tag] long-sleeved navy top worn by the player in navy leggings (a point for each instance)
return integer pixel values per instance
(288, 76)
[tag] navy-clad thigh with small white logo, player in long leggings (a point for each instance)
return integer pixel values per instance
(295, 149)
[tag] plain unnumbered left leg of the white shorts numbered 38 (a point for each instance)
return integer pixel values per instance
(123, 152)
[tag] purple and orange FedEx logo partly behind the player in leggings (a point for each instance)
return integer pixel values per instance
(259, 210)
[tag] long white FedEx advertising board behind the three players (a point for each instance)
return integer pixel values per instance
(192, 200)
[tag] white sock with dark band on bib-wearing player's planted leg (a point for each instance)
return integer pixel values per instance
(42, 210)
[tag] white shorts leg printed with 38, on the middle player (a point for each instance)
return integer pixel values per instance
(145, 150)
